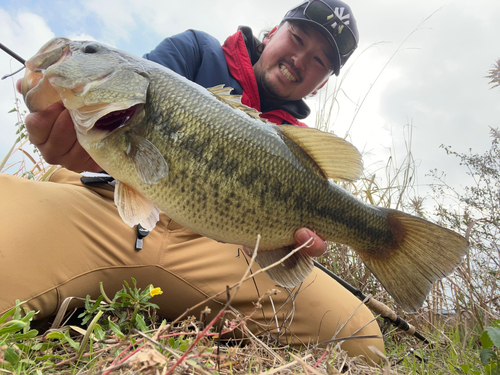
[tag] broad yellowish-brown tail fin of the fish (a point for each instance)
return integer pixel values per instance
(421, 253)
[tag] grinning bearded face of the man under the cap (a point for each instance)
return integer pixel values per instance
(295, 62)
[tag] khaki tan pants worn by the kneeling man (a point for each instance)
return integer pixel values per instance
(60, 239)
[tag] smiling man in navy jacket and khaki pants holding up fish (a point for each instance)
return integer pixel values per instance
(73, 238)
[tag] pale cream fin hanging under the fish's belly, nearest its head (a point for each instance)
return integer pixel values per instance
(134, 208)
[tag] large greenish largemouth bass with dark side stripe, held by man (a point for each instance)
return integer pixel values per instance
(211, 164)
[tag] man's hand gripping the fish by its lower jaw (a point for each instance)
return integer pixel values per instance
(53, 133)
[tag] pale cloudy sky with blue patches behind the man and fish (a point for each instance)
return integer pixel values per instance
(420, 67)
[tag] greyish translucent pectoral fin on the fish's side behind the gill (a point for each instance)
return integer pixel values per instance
(149, 163)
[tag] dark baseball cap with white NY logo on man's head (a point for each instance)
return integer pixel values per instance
(334, 20)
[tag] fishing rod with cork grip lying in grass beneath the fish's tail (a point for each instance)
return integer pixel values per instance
(376, 306)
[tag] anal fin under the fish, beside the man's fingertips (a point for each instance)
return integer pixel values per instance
(289, 273)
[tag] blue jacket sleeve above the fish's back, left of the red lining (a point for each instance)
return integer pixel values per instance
(180, 52)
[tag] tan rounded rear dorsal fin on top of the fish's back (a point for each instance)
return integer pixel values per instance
(337, 158)
